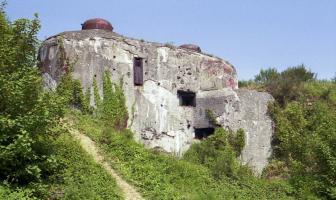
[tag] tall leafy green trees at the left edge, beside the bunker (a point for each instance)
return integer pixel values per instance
(27, 114)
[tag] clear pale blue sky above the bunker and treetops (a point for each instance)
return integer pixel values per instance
(249, 34)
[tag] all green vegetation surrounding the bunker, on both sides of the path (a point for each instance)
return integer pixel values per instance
(40, 160)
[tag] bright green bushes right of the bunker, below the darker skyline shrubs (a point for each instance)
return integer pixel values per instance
(305, 139)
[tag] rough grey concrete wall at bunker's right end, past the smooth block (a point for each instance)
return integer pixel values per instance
(250, 114)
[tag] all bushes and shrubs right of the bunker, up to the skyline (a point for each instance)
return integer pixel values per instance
(304, 143)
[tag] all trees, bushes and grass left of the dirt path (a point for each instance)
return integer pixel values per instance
(38, 158)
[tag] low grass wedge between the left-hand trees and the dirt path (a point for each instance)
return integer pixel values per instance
(79, 177)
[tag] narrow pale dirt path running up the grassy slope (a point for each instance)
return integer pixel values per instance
(90, 147)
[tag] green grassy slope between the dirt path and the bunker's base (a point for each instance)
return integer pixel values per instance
(160, 176)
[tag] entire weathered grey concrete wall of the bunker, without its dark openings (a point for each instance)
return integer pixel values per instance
(155, 114)
